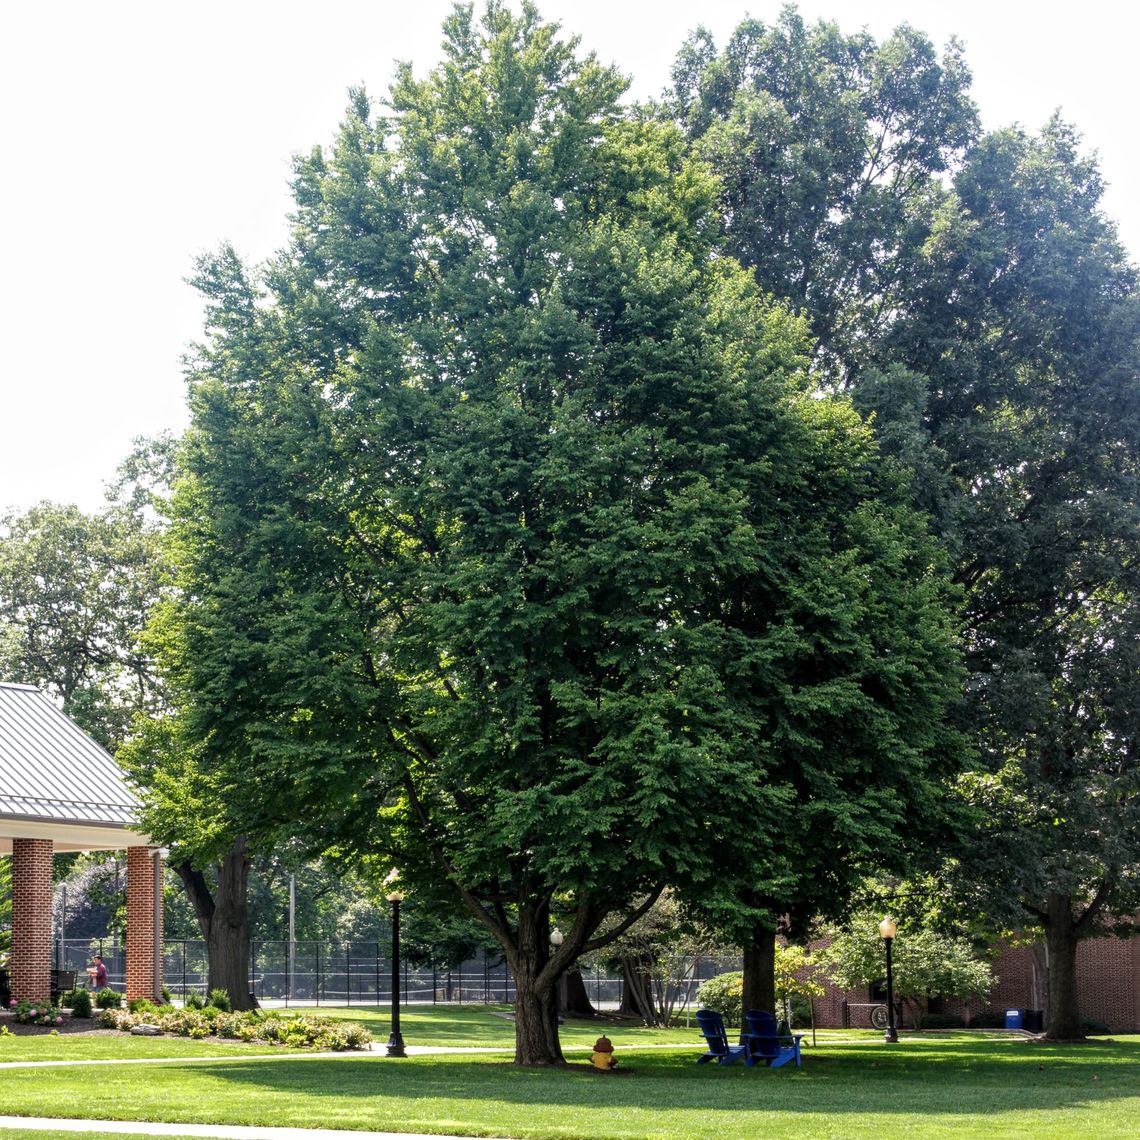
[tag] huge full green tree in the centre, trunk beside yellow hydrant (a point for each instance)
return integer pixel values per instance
(509, 522)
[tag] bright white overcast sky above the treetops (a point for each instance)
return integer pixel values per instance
(139, 136)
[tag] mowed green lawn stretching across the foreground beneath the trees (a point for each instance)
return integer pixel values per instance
(958, 1085)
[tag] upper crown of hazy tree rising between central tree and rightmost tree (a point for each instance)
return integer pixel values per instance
(832, 151)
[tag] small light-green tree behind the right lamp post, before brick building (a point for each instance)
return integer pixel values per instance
(926, 965)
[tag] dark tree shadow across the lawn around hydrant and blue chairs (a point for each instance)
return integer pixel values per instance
(951, 1079)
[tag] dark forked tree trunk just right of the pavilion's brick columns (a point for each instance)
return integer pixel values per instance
(224, 922)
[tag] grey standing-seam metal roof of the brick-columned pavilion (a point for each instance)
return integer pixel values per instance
(52, 771)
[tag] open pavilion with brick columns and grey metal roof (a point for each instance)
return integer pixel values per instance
(62, 792)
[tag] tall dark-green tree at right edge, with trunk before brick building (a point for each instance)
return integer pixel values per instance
(1025, 345)
